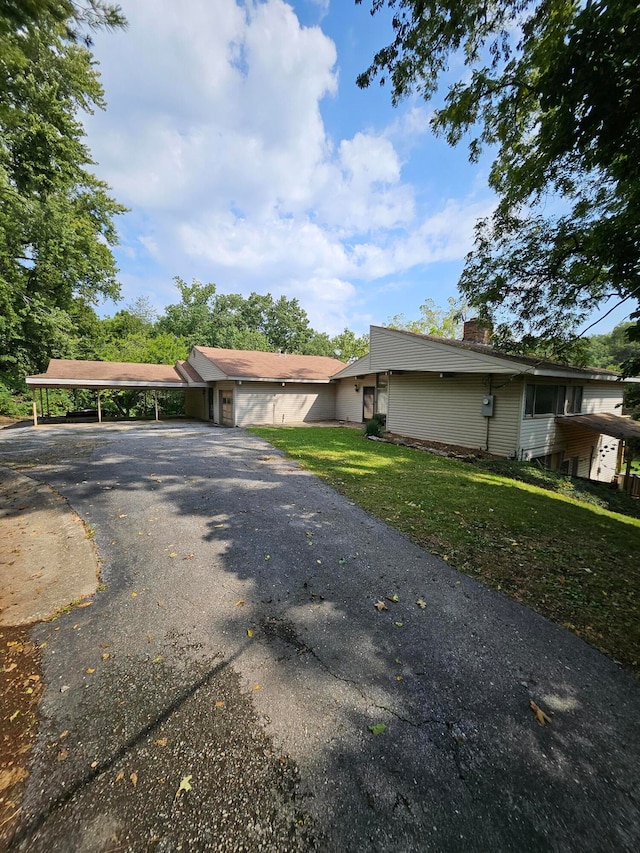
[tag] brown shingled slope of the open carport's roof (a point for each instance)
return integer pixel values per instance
(70, 371)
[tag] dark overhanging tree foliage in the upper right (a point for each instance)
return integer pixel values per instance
(553, 86)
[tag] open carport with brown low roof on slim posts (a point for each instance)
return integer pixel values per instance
(102, 375)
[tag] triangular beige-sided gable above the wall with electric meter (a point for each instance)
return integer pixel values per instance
(392, 350)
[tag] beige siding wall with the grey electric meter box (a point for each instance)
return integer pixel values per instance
(423, 405)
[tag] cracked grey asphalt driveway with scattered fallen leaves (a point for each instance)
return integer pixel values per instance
(218, 693)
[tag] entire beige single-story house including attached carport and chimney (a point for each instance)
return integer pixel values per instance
(460, 392)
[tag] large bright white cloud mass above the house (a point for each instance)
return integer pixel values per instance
(215, 137)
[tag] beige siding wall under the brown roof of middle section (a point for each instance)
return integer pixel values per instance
(272, 403)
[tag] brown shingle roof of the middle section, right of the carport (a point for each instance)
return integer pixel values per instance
(249, 364)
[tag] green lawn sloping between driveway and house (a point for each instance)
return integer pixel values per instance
(575, 561)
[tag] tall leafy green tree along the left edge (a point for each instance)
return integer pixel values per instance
(56, 218)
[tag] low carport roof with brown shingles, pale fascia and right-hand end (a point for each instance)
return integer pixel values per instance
(70, 373)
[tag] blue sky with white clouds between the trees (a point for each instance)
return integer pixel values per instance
(249, 158)
